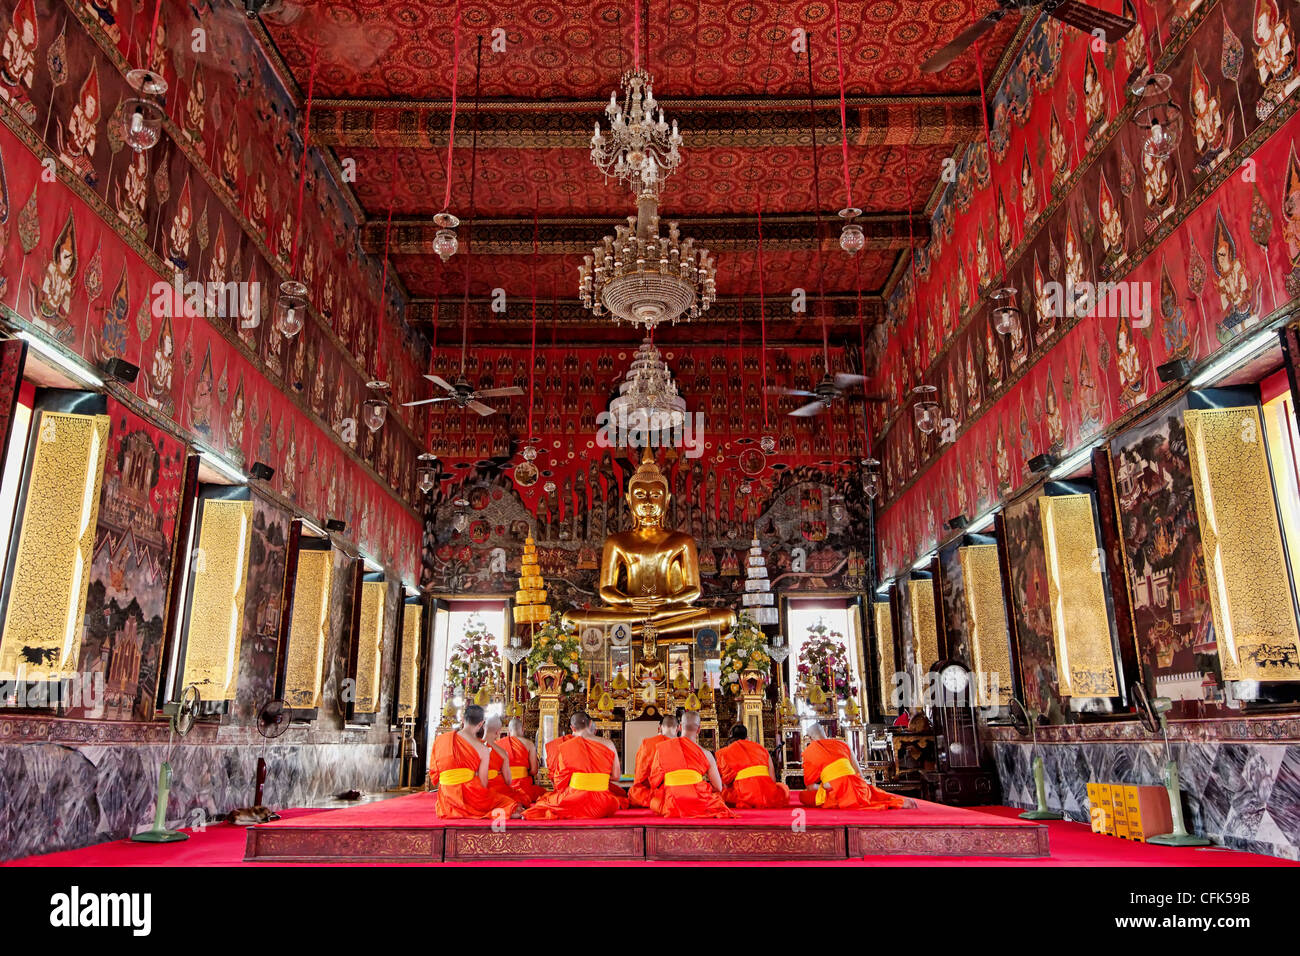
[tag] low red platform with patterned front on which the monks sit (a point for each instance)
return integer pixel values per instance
(408, 830)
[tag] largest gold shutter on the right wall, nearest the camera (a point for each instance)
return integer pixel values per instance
(1245, 561)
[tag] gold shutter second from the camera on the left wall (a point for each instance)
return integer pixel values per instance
(219, 578)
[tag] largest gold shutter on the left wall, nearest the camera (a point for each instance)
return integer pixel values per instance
(51, 568)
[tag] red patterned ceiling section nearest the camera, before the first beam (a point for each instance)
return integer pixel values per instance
(574, 50)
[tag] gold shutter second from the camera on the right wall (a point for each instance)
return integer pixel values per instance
(1081, 624)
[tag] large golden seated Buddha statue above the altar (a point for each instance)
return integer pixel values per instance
(651, 576)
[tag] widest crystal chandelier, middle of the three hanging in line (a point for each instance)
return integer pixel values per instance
(647, 279)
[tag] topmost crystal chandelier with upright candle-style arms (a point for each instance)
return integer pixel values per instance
(640, 149)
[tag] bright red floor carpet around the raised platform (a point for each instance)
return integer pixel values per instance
(1073, 845)
